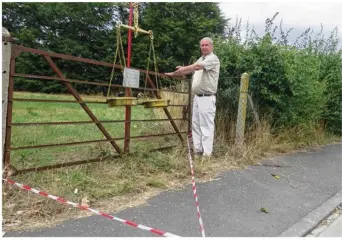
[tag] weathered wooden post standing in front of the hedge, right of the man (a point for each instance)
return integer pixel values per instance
(241, 119)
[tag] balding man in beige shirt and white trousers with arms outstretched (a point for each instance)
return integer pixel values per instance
(204, 87)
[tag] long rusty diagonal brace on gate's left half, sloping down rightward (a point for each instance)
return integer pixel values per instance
(83, 105)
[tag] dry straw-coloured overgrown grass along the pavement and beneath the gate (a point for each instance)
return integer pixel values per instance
(116, 184)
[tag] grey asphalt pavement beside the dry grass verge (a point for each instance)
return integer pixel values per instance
(230, 206)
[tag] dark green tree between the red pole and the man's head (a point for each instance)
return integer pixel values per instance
(177, 28)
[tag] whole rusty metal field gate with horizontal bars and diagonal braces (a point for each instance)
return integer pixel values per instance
(16, 50)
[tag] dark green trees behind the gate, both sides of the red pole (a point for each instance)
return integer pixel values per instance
(87, 30)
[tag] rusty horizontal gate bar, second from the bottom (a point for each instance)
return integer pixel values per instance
(91, 141)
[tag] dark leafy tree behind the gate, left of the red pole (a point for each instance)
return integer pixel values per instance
(78, 29)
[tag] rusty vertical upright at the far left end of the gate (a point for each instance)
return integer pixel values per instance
(7, 154)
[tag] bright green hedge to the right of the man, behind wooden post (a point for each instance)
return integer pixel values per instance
(291, 84)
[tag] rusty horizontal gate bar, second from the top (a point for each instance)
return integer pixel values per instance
(85, 82)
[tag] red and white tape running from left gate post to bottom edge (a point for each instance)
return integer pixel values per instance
(61, 200)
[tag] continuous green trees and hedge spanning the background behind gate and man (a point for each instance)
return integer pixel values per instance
(292, 83)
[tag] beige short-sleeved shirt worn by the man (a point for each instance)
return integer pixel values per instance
(205, 81)
